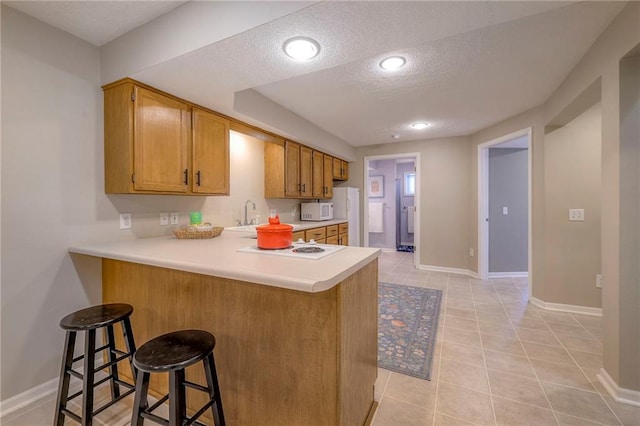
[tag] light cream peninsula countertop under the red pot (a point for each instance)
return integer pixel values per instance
(219, 257)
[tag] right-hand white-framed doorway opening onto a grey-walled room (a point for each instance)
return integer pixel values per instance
(491, 215)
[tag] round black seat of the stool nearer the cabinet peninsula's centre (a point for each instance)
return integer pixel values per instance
(174, 351)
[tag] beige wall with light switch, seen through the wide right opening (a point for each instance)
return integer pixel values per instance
(572, 177)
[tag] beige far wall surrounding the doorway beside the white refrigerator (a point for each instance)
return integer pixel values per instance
(445, 193)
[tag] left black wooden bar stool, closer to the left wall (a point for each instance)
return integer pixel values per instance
(89, 320)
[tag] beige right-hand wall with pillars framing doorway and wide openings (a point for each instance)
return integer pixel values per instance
(600, 62)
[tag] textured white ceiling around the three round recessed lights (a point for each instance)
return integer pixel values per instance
(470, 64)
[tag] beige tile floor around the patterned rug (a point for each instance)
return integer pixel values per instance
(498, 361)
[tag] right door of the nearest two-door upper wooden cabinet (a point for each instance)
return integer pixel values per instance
(210, 155)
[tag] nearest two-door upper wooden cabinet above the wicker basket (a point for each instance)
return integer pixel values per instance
(159, 144)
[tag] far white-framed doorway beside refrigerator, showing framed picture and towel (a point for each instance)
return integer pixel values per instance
(391, 203)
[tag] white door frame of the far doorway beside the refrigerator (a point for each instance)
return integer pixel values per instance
(416, 200)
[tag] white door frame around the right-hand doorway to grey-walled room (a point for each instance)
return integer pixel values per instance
(483, 201)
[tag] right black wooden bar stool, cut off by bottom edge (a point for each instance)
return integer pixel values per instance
(172, 353)
